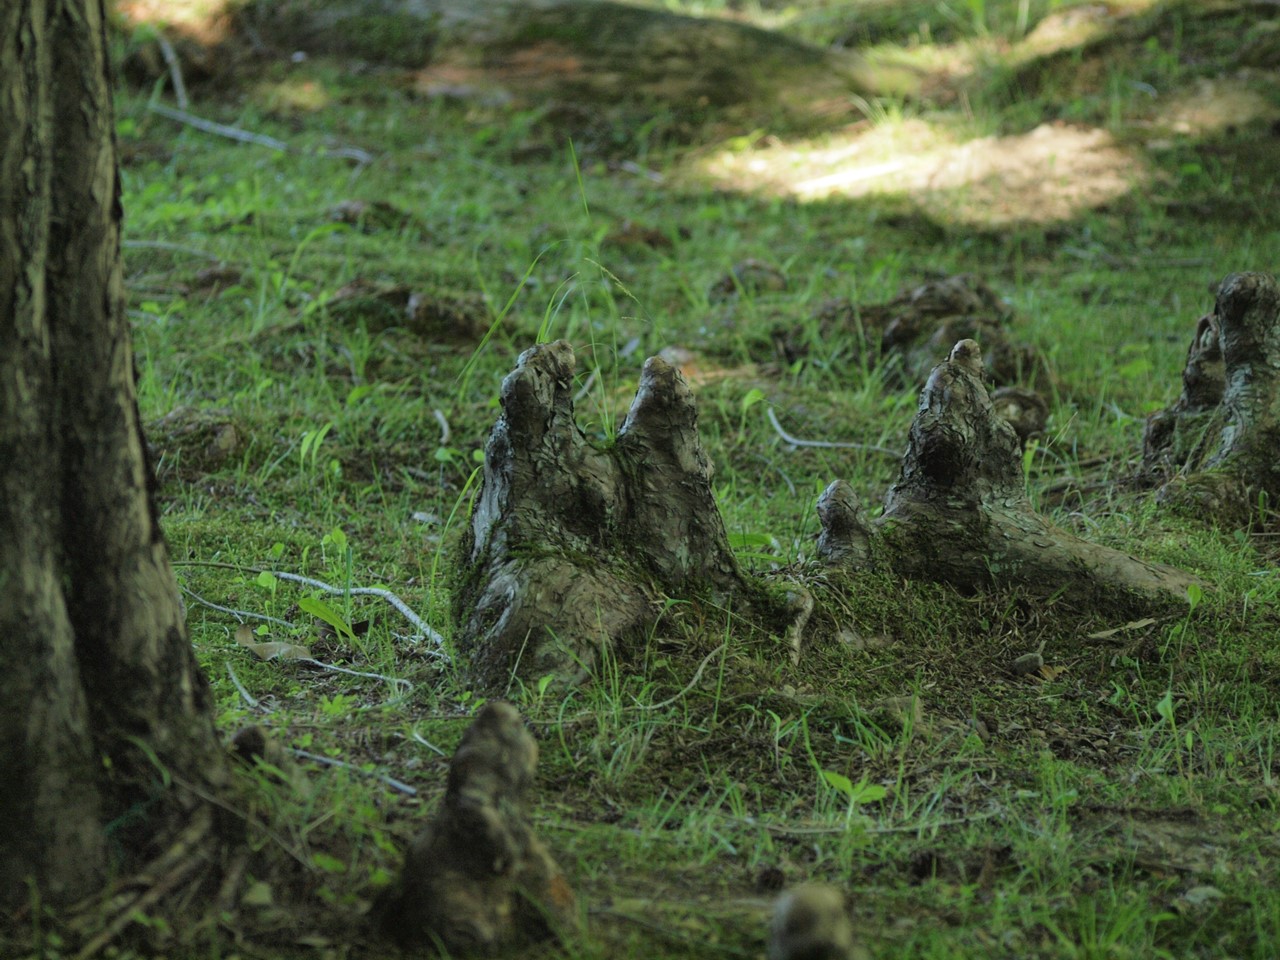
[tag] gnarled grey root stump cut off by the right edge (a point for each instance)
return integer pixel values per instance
(1215, 447)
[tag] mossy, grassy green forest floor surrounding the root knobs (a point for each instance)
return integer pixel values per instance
(322, 332)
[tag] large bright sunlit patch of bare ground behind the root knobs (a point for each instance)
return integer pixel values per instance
(1052, 173)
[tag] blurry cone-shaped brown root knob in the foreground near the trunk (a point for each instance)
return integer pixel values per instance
(477, 880)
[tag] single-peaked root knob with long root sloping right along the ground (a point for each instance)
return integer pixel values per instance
(959, 514)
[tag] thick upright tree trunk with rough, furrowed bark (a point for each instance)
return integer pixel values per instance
(106, 724)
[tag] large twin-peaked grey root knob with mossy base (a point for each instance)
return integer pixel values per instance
(573, 543)
